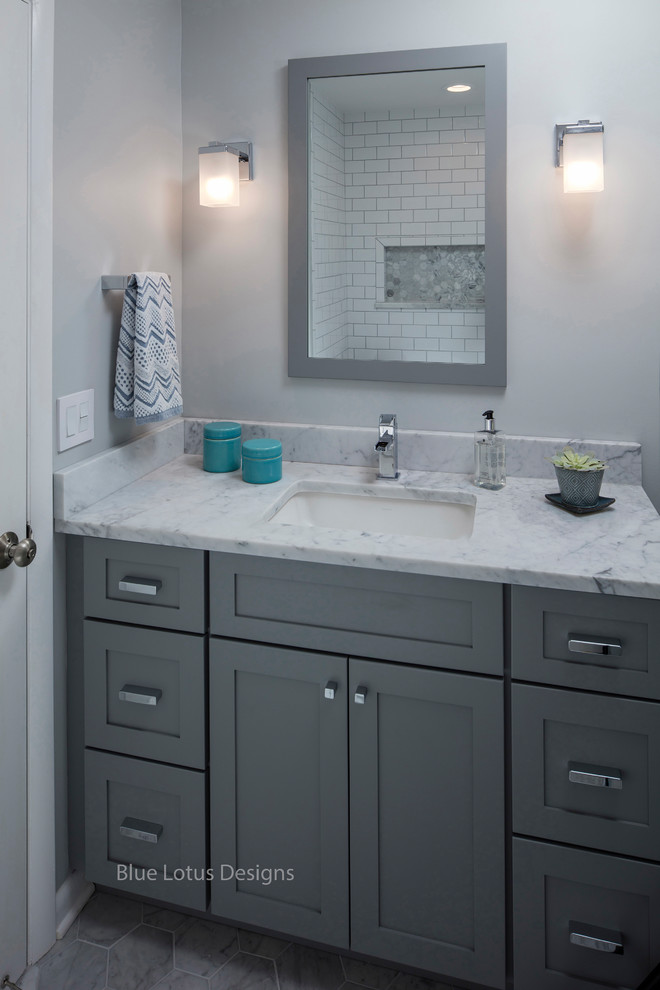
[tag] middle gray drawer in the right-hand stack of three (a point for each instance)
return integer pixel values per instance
(586, 769)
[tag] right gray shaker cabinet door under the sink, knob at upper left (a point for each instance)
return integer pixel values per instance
(427, 814)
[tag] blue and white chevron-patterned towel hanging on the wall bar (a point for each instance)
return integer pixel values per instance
(147, 383)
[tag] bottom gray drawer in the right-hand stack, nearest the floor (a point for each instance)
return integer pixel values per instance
(582, 920)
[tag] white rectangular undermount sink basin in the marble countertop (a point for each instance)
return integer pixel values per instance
(410, 512)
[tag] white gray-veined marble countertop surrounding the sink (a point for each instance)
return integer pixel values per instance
(518, 536)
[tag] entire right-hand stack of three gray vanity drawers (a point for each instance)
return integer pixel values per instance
(585, 772)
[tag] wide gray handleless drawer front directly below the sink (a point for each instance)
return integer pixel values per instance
(440, 622)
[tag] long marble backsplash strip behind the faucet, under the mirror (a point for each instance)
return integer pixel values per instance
(423, 450)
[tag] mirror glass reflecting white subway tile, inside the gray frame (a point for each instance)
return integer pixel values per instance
(397, 216)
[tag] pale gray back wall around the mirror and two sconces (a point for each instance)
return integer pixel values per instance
(583, 323)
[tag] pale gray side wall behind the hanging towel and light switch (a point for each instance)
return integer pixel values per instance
(117, 184)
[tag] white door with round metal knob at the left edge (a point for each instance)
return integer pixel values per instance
(14, 95)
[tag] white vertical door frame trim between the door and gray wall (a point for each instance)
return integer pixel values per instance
(40, 666)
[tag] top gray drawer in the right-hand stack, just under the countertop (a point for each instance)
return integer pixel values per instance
(577, 639)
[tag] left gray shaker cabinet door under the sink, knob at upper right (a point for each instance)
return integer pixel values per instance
(278, 755)
